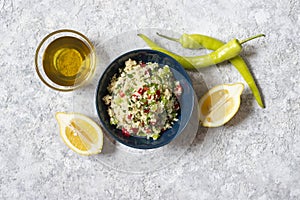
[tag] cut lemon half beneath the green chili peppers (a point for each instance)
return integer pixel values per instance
(220, 104)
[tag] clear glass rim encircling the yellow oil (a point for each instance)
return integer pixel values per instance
(83, 38)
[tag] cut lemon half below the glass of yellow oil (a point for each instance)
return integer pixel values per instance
(80, 133)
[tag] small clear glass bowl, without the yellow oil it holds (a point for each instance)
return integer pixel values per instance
(39, 56)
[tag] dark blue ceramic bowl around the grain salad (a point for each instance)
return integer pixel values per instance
(186, 100)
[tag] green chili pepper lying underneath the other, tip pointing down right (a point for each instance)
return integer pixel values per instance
(195, 41)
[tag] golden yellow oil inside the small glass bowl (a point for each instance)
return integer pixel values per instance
(67, 61)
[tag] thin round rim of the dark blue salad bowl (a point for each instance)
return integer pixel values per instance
(187, 77)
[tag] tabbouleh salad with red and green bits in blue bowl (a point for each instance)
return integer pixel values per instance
(143, 99)
